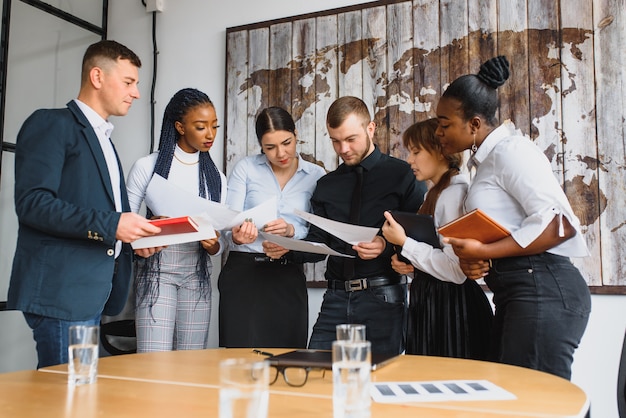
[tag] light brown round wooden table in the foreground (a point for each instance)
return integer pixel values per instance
(186, 383)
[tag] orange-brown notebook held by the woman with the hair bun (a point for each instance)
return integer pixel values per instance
(475, 224)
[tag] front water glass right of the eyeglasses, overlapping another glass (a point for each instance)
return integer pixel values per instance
(351, 379)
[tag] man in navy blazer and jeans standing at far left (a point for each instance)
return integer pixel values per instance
(73, 260)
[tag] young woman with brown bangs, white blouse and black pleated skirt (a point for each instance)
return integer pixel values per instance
(449, 316)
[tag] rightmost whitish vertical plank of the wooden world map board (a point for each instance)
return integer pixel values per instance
(610, 53)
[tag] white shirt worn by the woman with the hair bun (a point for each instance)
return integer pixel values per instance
(515, 185)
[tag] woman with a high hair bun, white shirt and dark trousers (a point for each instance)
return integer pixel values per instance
(542, 301)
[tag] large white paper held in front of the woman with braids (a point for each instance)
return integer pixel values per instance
(167, 199)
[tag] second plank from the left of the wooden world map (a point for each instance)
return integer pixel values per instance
(258, 92)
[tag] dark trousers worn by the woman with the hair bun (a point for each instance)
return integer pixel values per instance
(542, 308)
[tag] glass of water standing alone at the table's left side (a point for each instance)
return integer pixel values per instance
(83, 354)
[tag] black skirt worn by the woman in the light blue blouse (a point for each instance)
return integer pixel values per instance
(262, 303)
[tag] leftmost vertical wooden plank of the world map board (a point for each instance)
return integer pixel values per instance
(236, 104)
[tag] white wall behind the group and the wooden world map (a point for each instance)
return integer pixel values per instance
(191, 43)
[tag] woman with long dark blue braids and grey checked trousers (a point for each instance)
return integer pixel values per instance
(173, 287)
